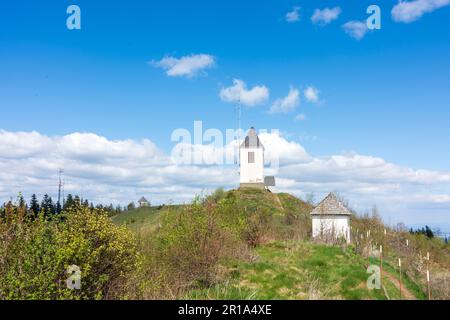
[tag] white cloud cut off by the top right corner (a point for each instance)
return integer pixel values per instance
(409, 11)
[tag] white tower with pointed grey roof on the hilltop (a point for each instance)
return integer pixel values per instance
(251, 161)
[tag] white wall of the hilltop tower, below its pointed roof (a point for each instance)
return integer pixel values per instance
(251, 172)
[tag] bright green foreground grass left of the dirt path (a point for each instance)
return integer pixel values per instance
(296, 270)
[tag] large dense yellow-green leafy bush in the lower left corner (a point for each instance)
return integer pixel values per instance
(35, 255)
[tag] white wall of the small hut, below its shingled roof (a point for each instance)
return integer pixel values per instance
(337, 225)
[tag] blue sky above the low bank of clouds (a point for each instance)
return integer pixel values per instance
(385, 95)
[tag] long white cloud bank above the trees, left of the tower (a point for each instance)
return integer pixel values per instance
(99, 169)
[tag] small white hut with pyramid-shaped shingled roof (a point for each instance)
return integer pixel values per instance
(331, 220)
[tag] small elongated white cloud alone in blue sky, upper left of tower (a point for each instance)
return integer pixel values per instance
(187, 66)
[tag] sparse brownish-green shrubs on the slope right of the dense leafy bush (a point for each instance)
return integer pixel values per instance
(188, 247)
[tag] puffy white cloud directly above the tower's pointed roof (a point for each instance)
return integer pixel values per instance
(238, 92)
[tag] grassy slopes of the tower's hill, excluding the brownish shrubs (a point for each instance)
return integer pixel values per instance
(285, 264)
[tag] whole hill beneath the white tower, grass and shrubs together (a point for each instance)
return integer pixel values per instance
(280, 261)
